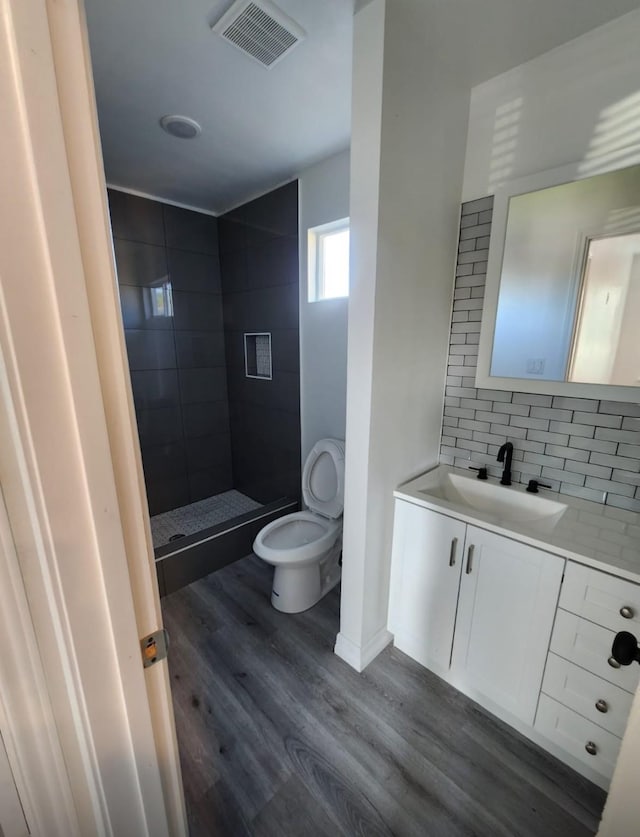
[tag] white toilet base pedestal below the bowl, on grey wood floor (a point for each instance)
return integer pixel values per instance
(298, 588)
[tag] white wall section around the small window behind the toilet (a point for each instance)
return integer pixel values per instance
(324, 197)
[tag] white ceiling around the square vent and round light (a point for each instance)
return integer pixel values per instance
(262, 127)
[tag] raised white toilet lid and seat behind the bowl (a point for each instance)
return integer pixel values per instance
(323, 478)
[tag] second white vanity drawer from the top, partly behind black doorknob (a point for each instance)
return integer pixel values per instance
(589, 646)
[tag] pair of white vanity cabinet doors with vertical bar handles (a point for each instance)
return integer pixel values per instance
(475, 607)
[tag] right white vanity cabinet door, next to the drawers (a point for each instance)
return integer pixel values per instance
(508, 597)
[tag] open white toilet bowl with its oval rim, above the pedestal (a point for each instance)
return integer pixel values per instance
(296, 538)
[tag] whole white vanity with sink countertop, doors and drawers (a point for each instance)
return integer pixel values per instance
(504, 596)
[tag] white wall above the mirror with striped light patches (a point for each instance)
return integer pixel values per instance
(577, 103)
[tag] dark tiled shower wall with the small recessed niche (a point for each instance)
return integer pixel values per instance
(259, 268)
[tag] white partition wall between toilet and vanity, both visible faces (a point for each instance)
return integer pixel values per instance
(404, 217)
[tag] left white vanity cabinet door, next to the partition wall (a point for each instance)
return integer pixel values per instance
(426, 564)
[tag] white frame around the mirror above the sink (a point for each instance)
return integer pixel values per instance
(484, 380)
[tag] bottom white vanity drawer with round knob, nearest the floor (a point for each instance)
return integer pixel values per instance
(573, 733)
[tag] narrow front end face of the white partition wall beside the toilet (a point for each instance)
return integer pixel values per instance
(366, 125)
